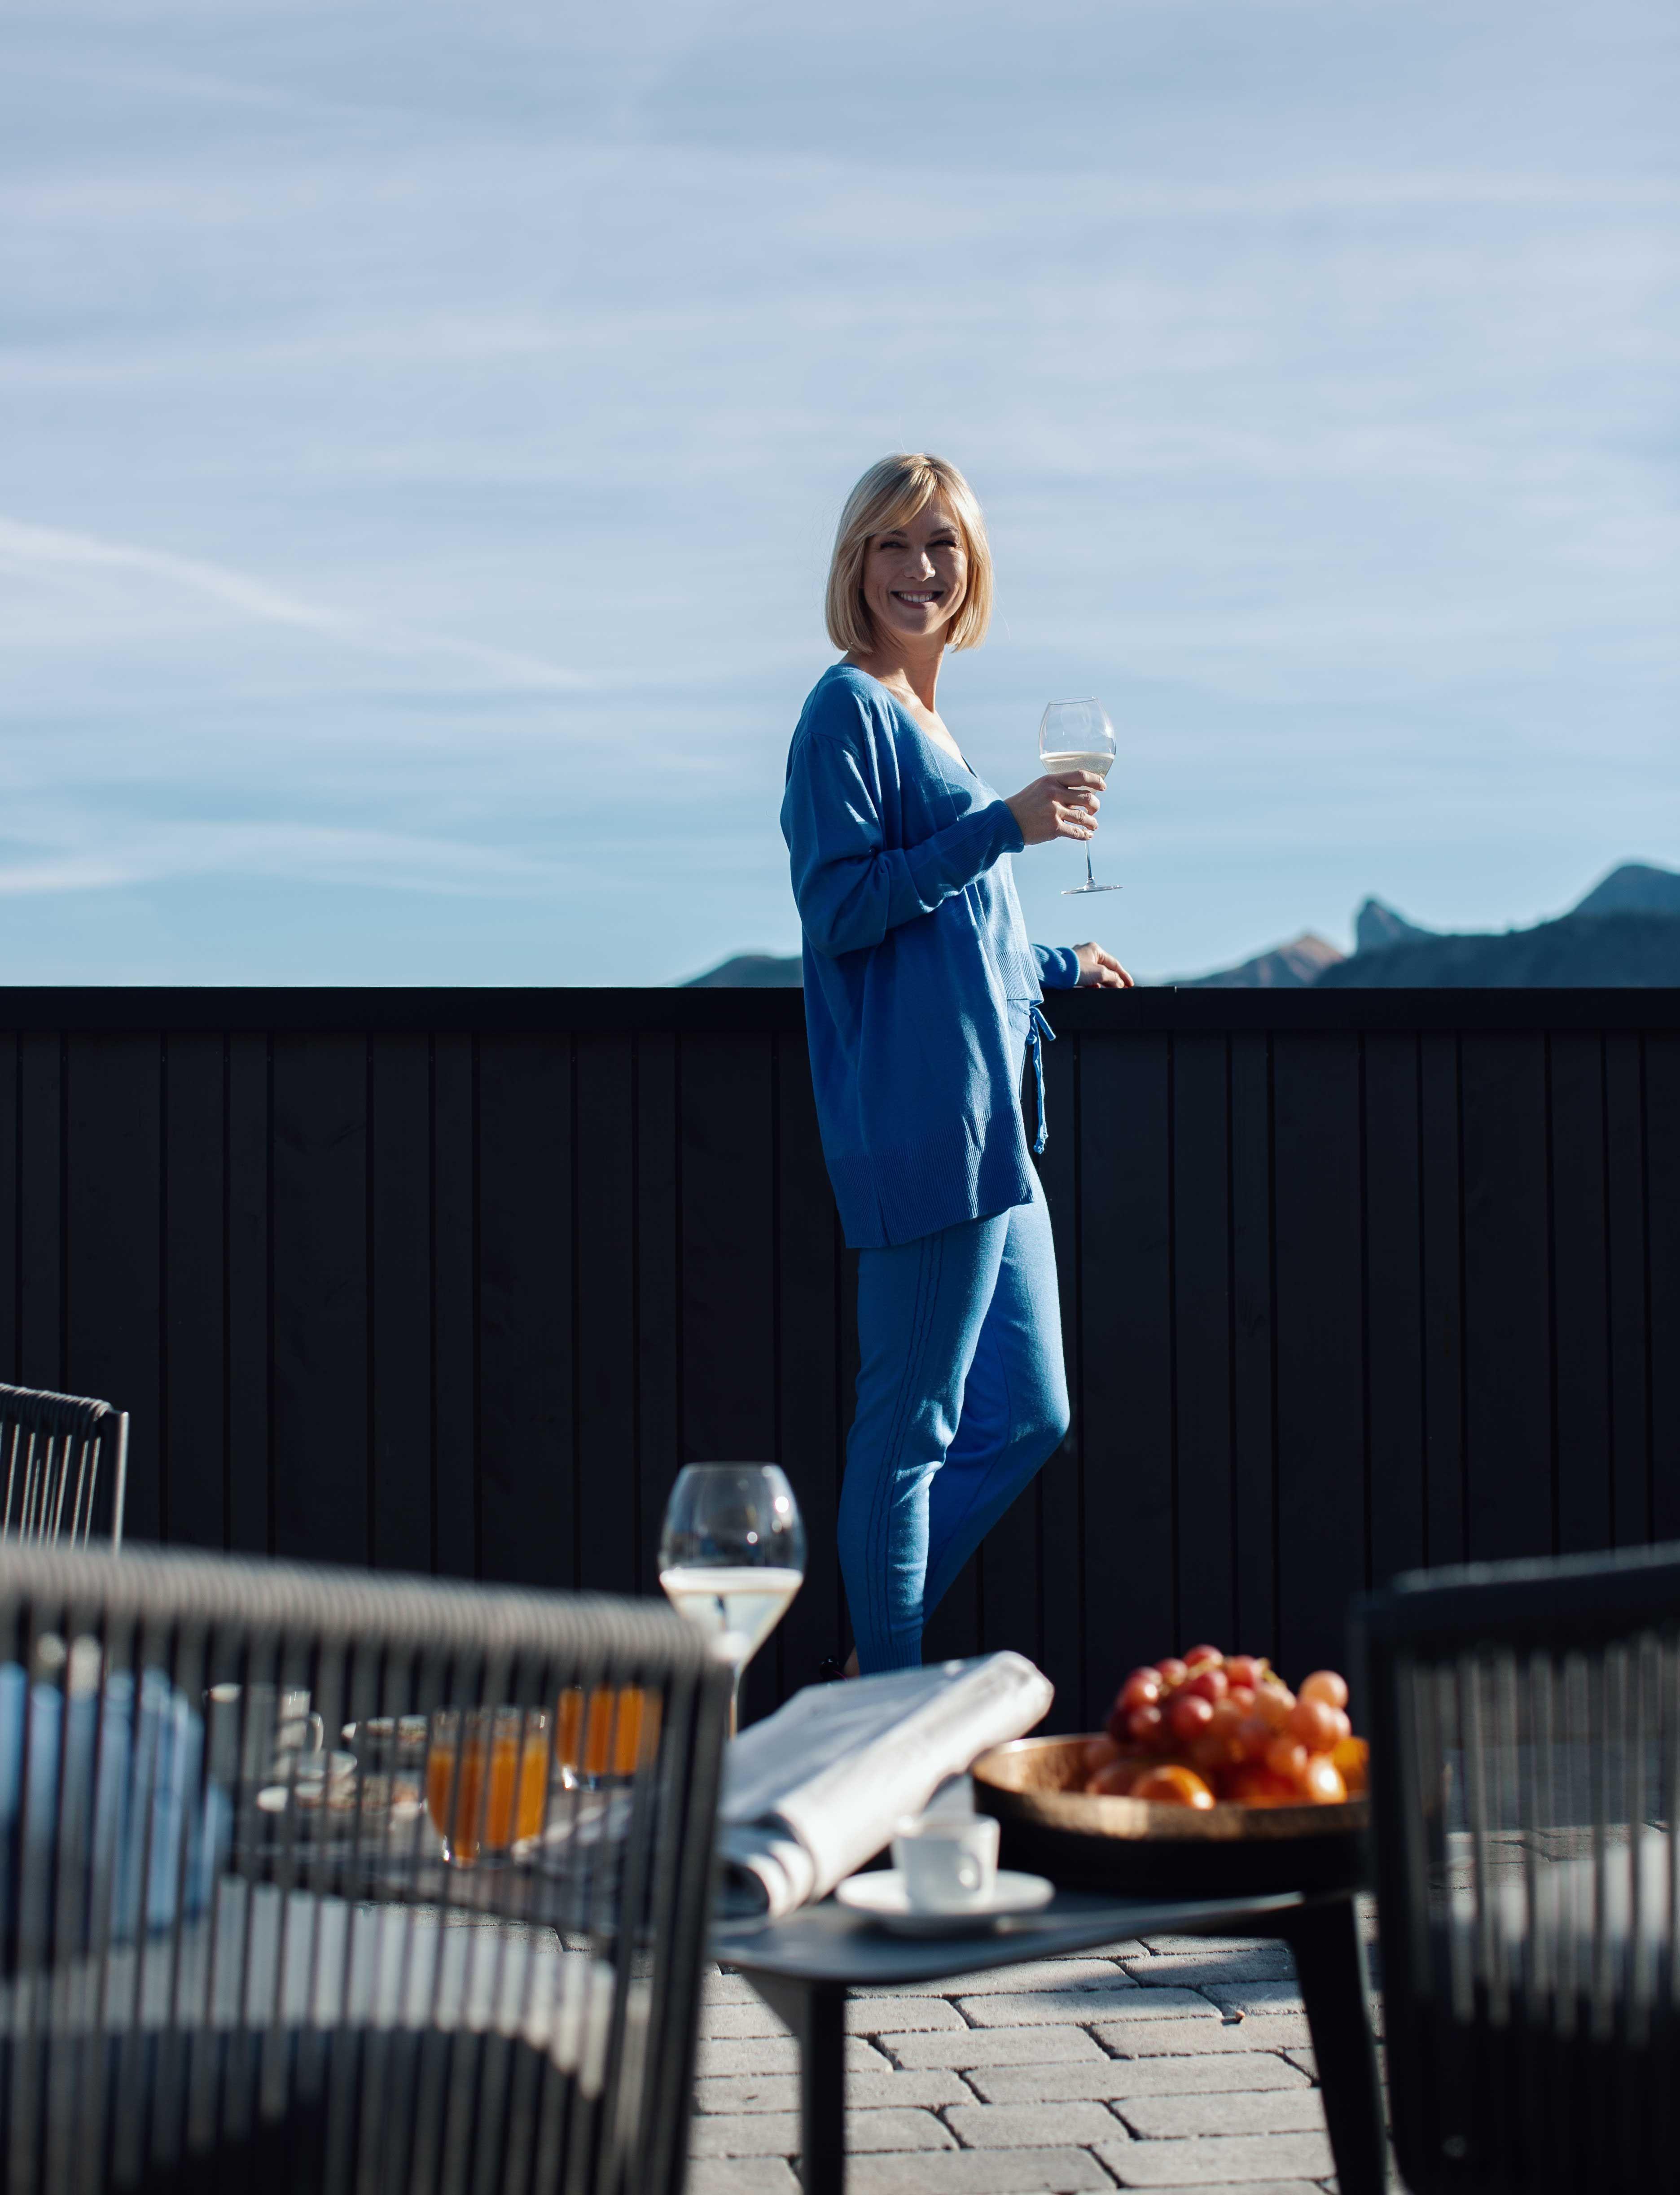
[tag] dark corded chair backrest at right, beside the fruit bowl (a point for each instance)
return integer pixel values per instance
(1525, 1757)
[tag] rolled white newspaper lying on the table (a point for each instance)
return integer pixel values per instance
(820, 1786)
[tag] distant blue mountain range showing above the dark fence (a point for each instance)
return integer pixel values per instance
(1626, 932)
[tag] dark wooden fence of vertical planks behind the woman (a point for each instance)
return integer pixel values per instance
(456, 1281)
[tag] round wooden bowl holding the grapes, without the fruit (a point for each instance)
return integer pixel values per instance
(1086, 1843)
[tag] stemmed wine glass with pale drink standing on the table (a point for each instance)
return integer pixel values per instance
(732, 1555)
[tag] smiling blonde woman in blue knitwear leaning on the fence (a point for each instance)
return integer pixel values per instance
(921, 1009)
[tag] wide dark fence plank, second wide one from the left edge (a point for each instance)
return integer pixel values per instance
(320, 1261)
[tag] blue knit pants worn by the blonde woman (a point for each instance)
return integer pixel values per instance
(961, 1399)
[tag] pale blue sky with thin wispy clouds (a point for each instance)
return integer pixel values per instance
(423, 434)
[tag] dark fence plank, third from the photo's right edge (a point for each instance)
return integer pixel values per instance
(1578, 1270)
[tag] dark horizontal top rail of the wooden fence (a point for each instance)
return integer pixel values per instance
(770, 1013)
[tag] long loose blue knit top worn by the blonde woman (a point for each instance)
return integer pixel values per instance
(915, 949)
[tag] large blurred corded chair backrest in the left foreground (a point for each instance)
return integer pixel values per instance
(326, 1882)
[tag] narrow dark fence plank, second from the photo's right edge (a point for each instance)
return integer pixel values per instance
(1631, 1461)
